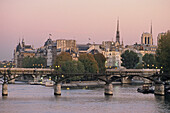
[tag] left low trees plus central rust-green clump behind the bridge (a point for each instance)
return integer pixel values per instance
(64, 63)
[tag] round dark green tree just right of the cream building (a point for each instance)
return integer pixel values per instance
(129, 59)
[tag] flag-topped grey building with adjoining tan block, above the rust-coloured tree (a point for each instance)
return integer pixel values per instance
(52, 48)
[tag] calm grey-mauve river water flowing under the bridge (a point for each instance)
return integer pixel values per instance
(40, 99)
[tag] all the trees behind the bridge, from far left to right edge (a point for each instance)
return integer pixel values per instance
(89, 63)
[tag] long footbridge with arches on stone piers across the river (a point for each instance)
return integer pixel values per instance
(9, 74)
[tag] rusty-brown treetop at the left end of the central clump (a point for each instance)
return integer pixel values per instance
(64, 56)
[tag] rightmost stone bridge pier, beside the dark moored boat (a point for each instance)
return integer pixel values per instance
(159, 89)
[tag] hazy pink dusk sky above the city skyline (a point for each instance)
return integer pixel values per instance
(80, 20)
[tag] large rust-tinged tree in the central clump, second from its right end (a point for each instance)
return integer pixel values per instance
(90, 64)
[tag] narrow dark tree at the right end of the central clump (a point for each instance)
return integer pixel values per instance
(100, 58)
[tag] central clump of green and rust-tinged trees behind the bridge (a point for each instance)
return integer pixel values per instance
(87, 63)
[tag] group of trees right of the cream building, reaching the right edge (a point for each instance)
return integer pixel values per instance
(161, 60)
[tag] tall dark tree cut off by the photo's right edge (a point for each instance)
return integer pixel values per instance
(163, 53)
